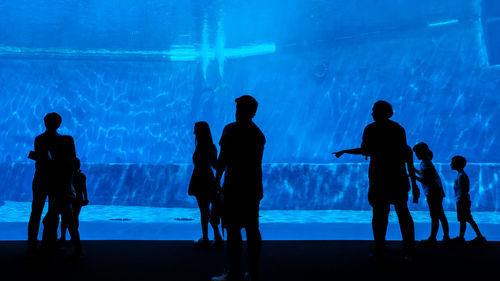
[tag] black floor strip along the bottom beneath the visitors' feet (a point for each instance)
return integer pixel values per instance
(281, 260)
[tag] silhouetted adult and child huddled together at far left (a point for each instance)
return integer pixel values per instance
(56, 169)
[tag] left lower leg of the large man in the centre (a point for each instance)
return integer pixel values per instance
(234, 248)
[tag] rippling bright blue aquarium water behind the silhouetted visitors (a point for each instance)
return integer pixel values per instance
(130, 79)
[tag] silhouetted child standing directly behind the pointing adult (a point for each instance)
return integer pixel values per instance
(433, 189)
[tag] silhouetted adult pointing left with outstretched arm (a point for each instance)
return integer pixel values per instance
(384, 141)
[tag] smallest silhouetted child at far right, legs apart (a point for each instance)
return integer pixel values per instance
(462, 197)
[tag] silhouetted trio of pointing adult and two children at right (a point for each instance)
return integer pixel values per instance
(390, 172)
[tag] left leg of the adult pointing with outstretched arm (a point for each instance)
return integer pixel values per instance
(380, 220)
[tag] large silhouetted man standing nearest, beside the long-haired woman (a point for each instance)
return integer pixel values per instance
(242, 147)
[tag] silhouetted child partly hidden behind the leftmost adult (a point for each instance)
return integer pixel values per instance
(81, 199)
